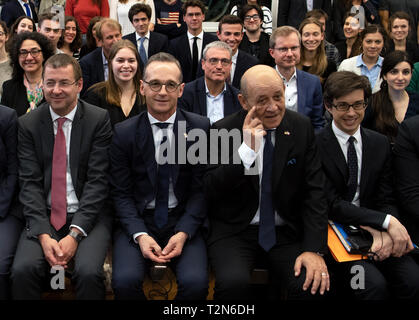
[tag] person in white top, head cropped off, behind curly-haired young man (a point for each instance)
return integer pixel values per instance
(118, 10)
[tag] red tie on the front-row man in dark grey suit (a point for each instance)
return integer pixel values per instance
(59, 181)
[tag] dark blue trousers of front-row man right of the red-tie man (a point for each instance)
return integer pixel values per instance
(129, 266)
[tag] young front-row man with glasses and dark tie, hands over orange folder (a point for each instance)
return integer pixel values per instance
(360, 193)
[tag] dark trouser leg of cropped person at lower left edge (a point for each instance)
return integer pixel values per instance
(10, 230)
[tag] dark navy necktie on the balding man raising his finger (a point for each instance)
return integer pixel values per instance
(267, 236)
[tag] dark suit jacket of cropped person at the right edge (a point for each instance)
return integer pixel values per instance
(406, 165)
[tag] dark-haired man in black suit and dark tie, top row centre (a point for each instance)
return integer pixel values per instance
(182, 46)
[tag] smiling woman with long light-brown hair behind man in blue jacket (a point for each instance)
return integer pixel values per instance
(313, 55)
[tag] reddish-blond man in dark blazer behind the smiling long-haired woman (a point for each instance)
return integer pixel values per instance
(95, 65)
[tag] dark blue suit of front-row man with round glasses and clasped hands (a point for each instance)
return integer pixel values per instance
(134, 184)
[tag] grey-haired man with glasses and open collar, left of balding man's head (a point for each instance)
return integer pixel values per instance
(210, 95)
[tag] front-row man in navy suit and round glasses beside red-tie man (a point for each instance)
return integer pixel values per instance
(159, 199)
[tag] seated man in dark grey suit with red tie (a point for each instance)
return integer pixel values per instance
(63, 163)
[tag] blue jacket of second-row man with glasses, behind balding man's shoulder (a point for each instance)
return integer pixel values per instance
(310, 98)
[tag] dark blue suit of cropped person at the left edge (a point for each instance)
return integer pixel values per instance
(10, 213)
